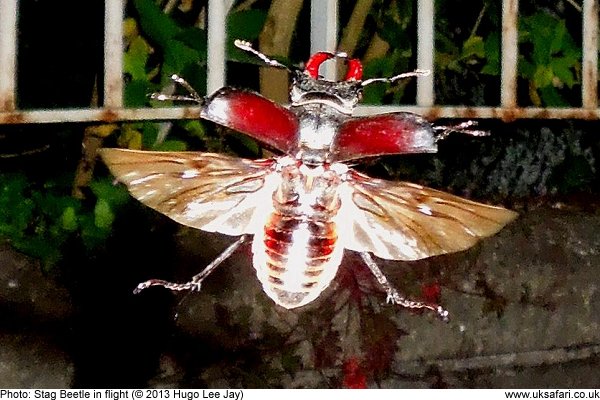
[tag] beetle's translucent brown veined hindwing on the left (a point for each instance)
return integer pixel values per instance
(207, 191)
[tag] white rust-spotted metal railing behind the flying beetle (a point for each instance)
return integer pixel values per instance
(323, 37)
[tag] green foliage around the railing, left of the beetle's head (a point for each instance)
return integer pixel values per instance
(160, 45)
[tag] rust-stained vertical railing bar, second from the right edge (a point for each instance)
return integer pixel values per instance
(510, 53)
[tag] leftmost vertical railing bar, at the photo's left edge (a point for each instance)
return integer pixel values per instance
(8, 54)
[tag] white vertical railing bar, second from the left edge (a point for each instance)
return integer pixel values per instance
(113, 53)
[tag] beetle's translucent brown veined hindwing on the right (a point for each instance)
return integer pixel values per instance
(405, 221)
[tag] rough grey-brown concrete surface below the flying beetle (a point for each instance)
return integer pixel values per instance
(524, 304)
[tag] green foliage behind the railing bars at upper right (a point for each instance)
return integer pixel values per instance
(549, 58)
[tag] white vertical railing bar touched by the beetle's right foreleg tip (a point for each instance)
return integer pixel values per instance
(425, 51)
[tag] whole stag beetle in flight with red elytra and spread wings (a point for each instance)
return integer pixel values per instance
(305, 207)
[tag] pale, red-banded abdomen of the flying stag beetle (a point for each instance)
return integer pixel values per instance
(296, 258)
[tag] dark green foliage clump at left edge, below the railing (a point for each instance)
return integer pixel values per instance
(43, 219)
